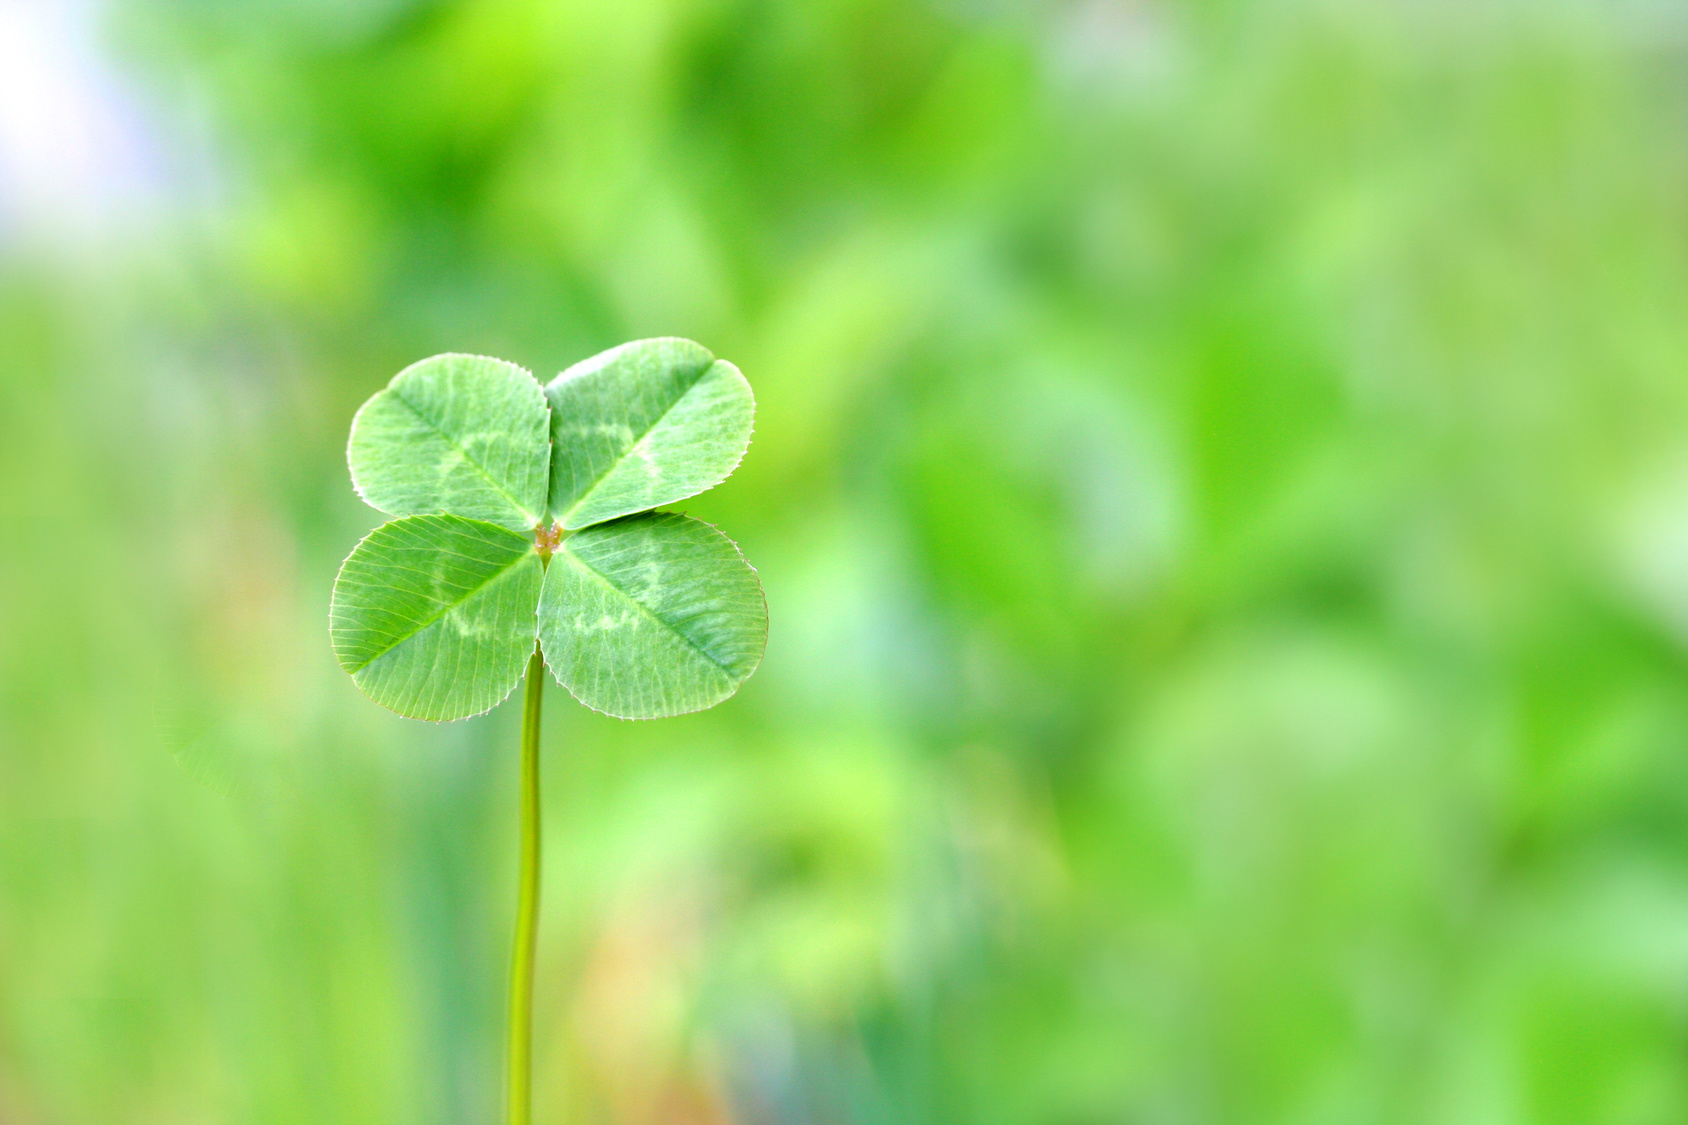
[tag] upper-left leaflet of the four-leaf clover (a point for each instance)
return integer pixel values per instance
(457, 433)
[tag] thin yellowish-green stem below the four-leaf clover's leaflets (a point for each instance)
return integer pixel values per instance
(527, 906)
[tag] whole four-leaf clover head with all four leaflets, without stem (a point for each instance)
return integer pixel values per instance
(649, 616)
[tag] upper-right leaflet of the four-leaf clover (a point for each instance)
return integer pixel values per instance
(644, 425)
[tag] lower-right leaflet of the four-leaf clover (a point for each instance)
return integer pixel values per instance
(652, 616)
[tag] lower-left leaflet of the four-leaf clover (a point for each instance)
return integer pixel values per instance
(433, 616)
